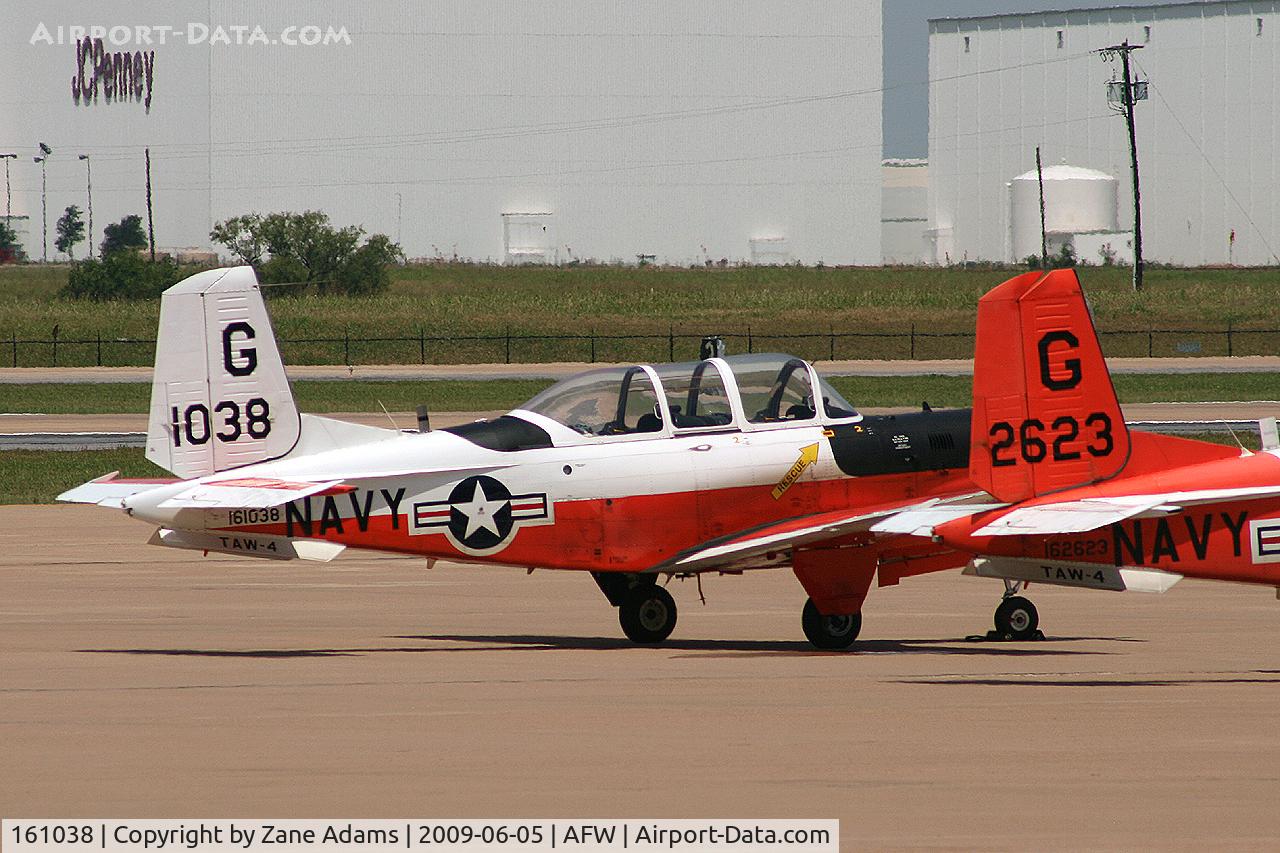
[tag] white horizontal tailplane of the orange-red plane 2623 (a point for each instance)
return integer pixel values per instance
(1091, 514)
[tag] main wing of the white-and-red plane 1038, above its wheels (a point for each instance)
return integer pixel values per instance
(775, 541)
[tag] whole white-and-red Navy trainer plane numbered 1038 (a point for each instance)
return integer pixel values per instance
(628, 473)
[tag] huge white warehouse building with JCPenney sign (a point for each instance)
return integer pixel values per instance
(493, 130)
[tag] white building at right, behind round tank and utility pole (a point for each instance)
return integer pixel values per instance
(1209, 134)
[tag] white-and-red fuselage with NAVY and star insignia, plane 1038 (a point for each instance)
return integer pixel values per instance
(509, 492)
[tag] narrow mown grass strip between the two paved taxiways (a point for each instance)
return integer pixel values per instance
(359, 396)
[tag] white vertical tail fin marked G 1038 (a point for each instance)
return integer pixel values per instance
(220, 398)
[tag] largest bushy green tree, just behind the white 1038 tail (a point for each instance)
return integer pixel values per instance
(304, 249)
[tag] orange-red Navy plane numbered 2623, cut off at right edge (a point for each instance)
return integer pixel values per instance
(1082, 501)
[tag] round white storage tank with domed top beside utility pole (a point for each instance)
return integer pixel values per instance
(1076, 200)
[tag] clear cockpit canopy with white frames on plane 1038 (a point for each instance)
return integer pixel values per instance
(765, 391)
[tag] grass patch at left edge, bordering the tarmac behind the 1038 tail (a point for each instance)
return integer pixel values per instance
(39, 477)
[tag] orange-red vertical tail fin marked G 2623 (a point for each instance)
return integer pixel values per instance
(1045, 413)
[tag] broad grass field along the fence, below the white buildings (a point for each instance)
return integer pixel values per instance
(776, 304)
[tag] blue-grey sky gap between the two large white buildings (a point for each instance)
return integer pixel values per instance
(907, 60)
